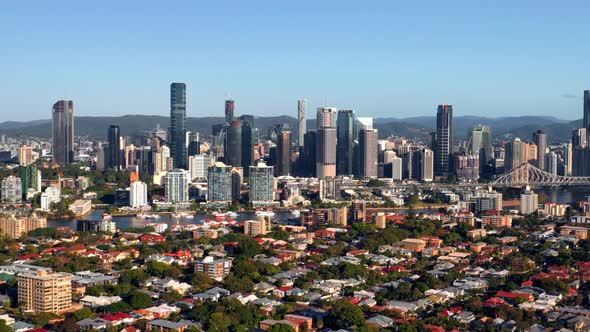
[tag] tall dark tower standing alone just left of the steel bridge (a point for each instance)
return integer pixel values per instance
(444, 140)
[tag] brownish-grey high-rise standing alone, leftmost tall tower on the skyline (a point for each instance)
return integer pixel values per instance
(62, 147)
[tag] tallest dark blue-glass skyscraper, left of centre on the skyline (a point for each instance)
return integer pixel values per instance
(178, 124)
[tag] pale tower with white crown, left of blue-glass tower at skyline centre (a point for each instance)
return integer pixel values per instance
(326, 142)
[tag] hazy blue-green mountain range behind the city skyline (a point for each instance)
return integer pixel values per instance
(503, 128)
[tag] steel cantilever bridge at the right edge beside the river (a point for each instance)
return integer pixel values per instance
(529, 175)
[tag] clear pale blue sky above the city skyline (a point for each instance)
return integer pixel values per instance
(381, 58)
